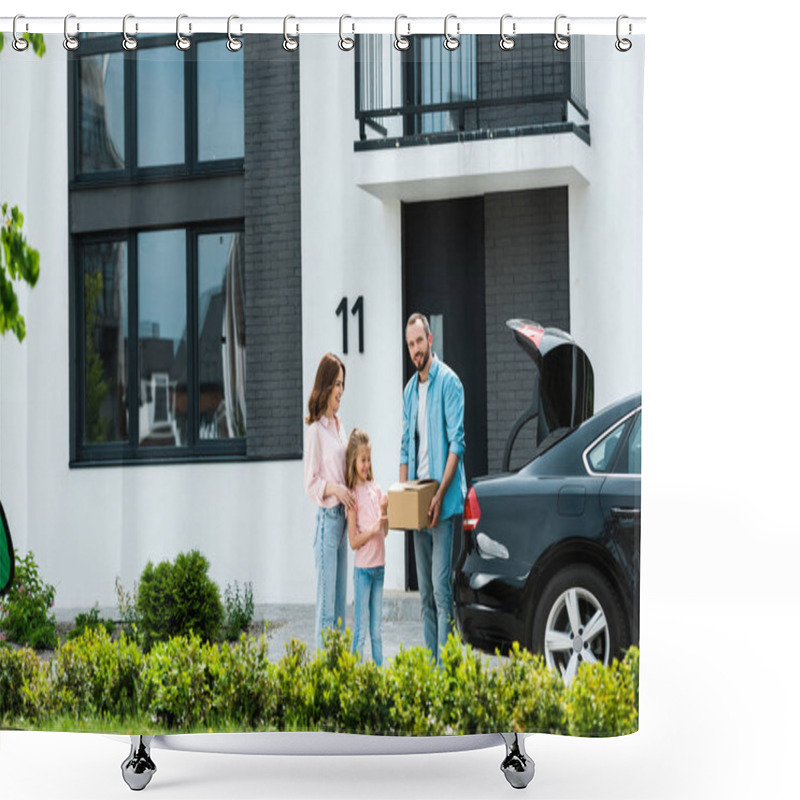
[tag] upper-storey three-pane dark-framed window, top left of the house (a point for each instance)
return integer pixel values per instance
(156, 110)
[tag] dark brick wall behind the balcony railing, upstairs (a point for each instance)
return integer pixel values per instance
(534, 66)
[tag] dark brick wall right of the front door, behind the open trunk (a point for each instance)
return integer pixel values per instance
(527, 275)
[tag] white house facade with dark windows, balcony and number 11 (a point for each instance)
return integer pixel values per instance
(210, 224)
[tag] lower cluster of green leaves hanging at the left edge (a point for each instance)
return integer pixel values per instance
(18, 262)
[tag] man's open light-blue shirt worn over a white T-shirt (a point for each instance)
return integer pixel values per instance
(445, 431)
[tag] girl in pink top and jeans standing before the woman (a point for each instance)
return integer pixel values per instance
(367, 526)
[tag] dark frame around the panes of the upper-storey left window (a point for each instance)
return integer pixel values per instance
(132, 172)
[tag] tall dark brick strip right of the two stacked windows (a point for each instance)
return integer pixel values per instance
(272, 249)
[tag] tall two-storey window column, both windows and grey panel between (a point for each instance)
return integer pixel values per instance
(157, 228)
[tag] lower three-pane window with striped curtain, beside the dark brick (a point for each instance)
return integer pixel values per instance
(163, 366)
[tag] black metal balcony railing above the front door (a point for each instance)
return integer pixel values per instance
(430, 94)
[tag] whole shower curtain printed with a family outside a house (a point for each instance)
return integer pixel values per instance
(186, 234)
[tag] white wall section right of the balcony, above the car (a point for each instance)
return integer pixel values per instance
(605, 224)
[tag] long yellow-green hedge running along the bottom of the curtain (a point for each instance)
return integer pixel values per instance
(187, 685)
